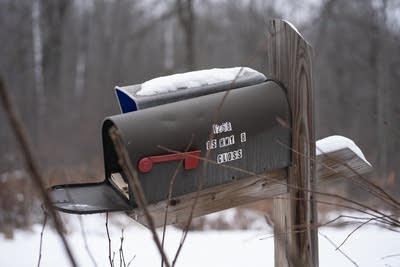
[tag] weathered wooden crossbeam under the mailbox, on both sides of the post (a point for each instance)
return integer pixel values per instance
(250, 189)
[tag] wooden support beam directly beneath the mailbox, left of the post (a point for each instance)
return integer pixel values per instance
(217, 198)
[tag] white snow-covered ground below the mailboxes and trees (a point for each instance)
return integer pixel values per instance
(369, 246)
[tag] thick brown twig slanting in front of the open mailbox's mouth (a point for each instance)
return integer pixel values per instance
(134, 183)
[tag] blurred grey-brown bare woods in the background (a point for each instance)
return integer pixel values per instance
(61, 59)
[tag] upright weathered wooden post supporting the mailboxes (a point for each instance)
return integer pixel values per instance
(290, 62)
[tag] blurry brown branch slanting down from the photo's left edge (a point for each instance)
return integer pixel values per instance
(32, 167)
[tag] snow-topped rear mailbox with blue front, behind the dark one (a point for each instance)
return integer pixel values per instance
(183, 86)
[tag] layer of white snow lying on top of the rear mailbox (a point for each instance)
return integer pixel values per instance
(195, 79)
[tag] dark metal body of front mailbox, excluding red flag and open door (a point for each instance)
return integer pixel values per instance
(242, 137)
